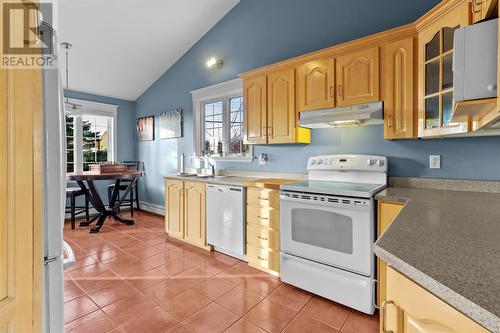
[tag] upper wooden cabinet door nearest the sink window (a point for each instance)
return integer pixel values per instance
(255, 114)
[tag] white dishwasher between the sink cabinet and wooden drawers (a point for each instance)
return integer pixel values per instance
(226, 219)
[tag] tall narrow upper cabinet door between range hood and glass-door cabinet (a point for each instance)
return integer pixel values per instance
(398, 90)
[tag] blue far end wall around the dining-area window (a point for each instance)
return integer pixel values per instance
(126, 147)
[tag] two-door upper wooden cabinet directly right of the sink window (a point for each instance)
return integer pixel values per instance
(270, 115)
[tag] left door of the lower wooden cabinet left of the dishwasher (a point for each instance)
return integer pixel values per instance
(174, 202)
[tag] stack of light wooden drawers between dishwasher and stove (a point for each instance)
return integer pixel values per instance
(263, 225)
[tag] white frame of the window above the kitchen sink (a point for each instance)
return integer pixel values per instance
(224, 92)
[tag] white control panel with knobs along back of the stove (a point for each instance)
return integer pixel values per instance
(348, 163)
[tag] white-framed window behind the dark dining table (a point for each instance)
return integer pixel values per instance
(90, 132)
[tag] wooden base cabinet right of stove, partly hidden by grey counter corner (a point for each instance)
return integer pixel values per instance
(387, 211)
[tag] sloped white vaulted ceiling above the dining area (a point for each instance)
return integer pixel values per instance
(121, 47)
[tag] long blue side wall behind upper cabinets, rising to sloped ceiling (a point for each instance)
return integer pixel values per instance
(260, 32)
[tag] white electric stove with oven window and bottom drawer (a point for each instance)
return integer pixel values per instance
(328, 228)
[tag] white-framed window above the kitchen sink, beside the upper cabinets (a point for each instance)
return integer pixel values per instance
(218, 127)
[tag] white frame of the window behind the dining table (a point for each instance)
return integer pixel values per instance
(92, 109)
